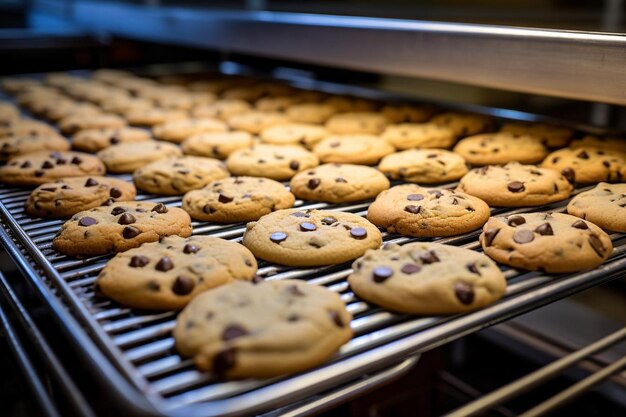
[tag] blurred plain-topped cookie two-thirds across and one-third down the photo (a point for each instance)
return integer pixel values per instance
(419, 135)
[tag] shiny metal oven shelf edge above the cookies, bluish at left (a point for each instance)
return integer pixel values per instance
(567, 64)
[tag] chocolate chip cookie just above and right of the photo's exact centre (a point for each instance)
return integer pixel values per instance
(338, 183)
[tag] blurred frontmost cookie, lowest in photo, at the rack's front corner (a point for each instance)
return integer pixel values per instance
(243, 330)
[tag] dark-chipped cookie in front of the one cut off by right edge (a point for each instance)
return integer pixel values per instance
(554, 243)
